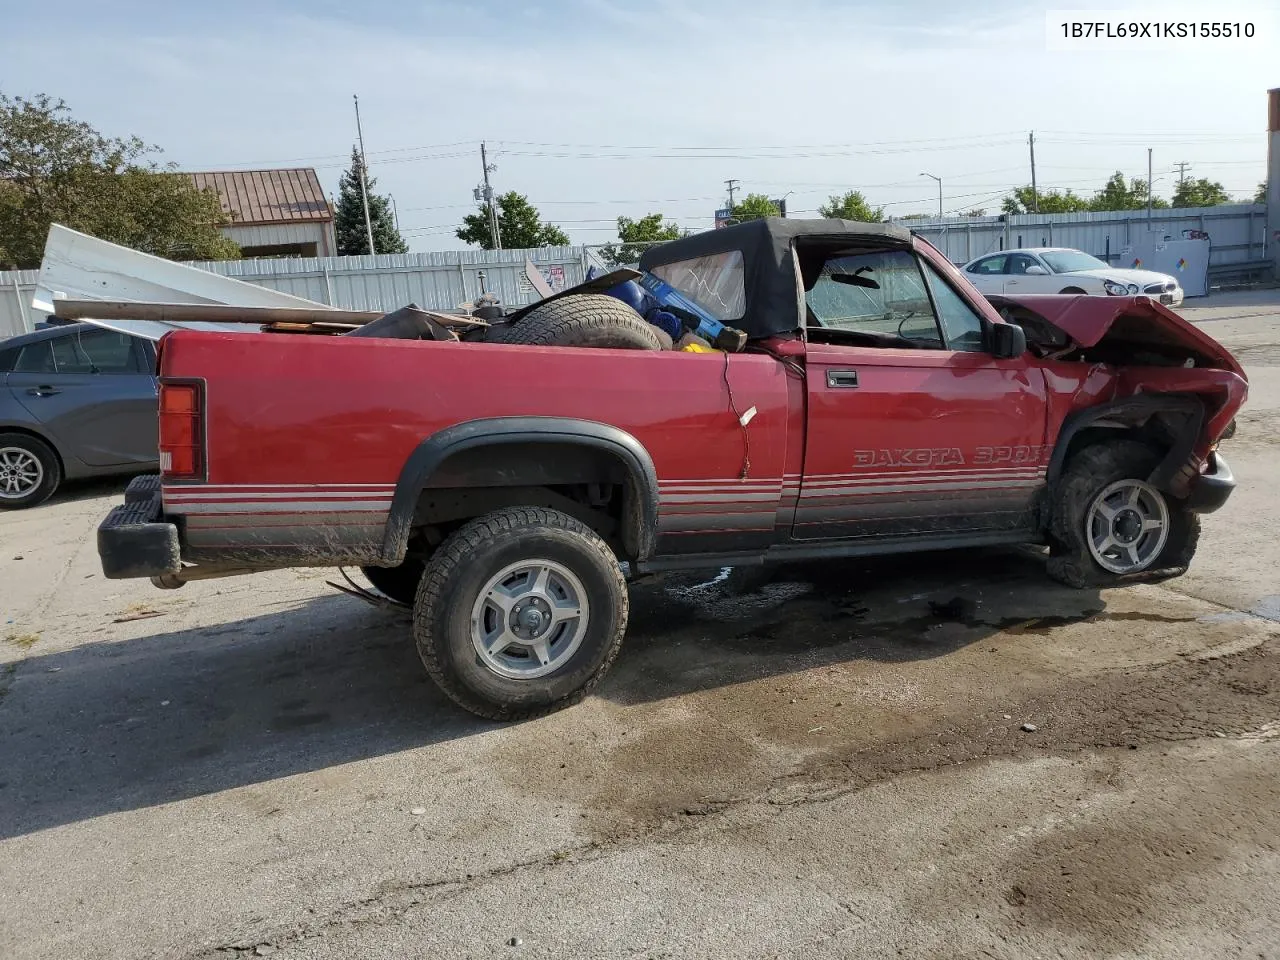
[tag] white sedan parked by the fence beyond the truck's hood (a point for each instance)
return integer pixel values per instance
(1062, 271)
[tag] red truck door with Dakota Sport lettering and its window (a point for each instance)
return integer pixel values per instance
(915, 431)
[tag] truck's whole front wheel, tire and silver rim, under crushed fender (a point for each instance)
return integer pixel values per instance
(1109, 524)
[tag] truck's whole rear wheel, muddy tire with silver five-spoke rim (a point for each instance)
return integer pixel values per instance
(520, 612)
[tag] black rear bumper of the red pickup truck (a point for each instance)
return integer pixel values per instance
(135, 541)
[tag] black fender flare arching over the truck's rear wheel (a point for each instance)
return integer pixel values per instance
(432, 452)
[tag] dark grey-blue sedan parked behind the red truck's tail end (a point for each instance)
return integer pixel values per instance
(76, 401)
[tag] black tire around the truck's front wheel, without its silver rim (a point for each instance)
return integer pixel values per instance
(1089, 474)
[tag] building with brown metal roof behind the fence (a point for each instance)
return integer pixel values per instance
(275, 213)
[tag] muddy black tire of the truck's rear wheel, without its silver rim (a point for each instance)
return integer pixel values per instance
(464, 568)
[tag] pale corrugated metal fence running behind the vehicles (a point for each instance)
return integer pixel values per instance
(442, 281)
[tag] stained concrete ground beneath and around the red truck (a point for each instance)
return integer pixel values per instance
(826, 769)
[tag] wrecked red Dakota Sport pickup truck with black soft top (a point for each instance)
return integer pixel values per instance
(881, 405)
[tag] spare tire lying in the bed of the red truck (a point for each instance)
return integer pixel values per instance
(584, 321)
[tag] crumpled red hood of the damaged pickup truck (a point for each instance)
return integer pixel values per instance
(1139, 321)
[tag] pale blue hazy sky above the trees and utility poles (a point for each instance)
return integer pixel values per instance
(601, 108)
